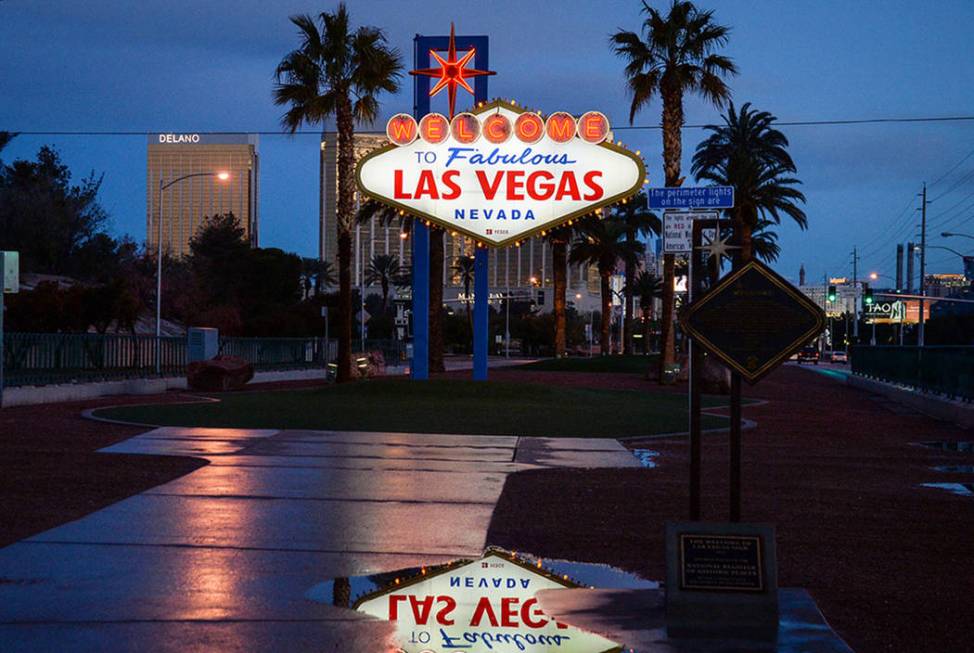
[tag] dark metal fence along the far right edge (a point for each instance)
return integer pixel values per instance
(947, 370)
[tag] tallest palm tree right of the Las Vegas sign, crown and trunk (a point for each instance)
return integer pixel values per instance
(678, 56)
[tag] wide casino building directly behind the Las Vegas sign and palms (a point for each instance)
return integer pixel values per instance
(521, 268)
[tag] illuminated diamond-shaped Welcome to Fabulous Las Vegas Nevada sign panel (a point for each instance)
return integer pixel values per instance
(500, 173)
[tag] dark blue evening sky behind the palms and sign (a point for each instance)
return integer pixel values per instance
(186, 65)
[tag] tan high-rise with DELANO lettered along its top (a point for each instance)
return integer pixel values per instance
(187, 204)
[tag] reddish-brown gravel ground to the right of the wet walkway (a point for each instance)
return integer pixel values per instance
(835, 470)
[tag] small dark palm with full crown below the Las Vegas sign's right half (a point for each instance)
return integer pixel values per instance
(603, 243)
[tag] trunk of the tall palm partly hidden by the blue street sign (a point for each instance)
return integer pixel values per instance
(672, 151)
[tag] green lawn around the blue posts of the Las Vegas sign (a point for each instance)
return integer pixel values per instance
(441, 406)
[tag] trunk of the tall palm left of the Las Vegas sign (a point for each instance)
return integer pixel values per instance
(346, 209)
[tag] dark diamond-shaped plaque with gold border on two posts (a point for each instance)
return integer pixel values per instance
(753, 320)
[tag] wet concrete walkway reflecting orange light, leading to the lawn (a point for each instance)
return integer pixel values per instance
(220, 559)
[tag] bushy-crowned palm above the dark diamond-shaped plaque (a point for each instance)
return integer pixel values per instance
(746, 152)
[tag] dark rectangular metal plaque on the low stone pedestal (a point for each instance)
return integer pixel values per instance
(720, 562)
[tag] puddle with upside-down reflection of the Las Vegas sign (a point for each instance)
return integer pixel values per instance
(487, 604)
